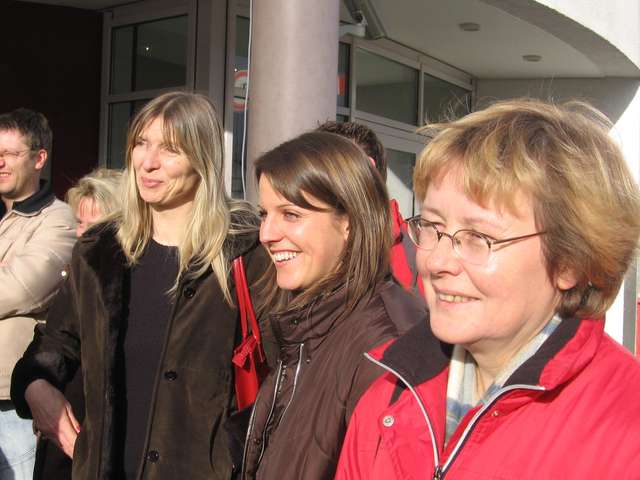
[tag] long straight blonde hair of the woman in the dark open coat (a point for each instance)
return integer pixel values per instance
(190, 125)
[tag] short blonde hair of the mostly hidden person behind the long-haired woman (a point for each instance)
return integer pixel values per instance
(103, 186)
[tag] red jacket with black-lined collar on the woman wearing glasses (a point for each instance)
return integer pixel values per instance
(572, 411)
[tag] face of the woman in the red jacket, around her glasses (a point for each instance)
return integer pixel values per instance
(493, 308)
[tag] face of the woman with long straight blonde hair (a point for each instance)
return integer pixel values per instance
(165, 177)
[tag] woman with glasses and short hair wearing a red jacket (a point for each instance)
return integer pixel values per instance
(529, 221)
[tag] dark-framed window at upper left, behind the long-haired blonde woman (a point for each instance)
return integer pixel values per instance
(148, 50)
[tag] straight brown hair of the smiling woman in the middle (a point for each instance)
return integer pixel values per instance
(335, 171)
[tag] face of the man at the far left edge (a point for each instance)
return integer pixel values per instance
(19, 166)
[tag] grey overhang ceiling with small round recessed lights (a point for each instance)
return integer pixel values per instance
(495, 50)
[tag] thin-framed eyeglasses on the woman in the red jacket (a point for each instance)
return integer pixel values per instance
(471, 246)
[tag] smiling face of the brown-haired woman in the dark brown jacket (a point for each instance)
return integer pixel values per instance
(305, 245)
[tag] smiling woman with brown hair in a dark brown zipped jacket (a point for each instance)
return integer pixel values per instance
(325, 223)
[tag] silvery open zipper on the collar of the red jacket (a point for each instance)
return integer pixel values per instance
(440, 471)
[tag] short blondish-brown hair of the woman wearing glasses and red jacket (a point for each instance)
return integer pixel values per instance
(562, 156)
